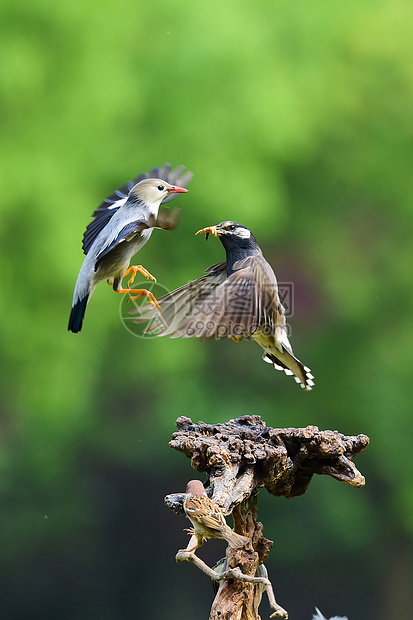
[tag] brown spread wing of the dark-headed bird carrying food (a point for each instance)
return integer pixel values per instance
(215, 306)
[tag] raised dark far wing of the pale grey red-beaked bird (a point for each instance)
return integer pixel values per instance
(105, 211)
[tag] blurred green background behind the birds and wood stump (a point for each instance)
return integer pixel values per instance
(296, 119)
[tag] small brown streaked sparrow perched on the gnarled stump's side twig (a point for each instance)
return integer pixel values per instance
(207, 518)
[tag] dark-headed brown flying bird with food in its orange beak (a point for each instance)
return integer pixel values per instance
(236, 299)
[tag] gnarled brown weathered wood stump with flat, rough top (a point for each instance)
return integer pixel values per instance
(241, 456)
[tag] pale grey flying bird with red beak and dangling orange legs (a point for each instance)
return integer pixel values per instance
(122, 224)
